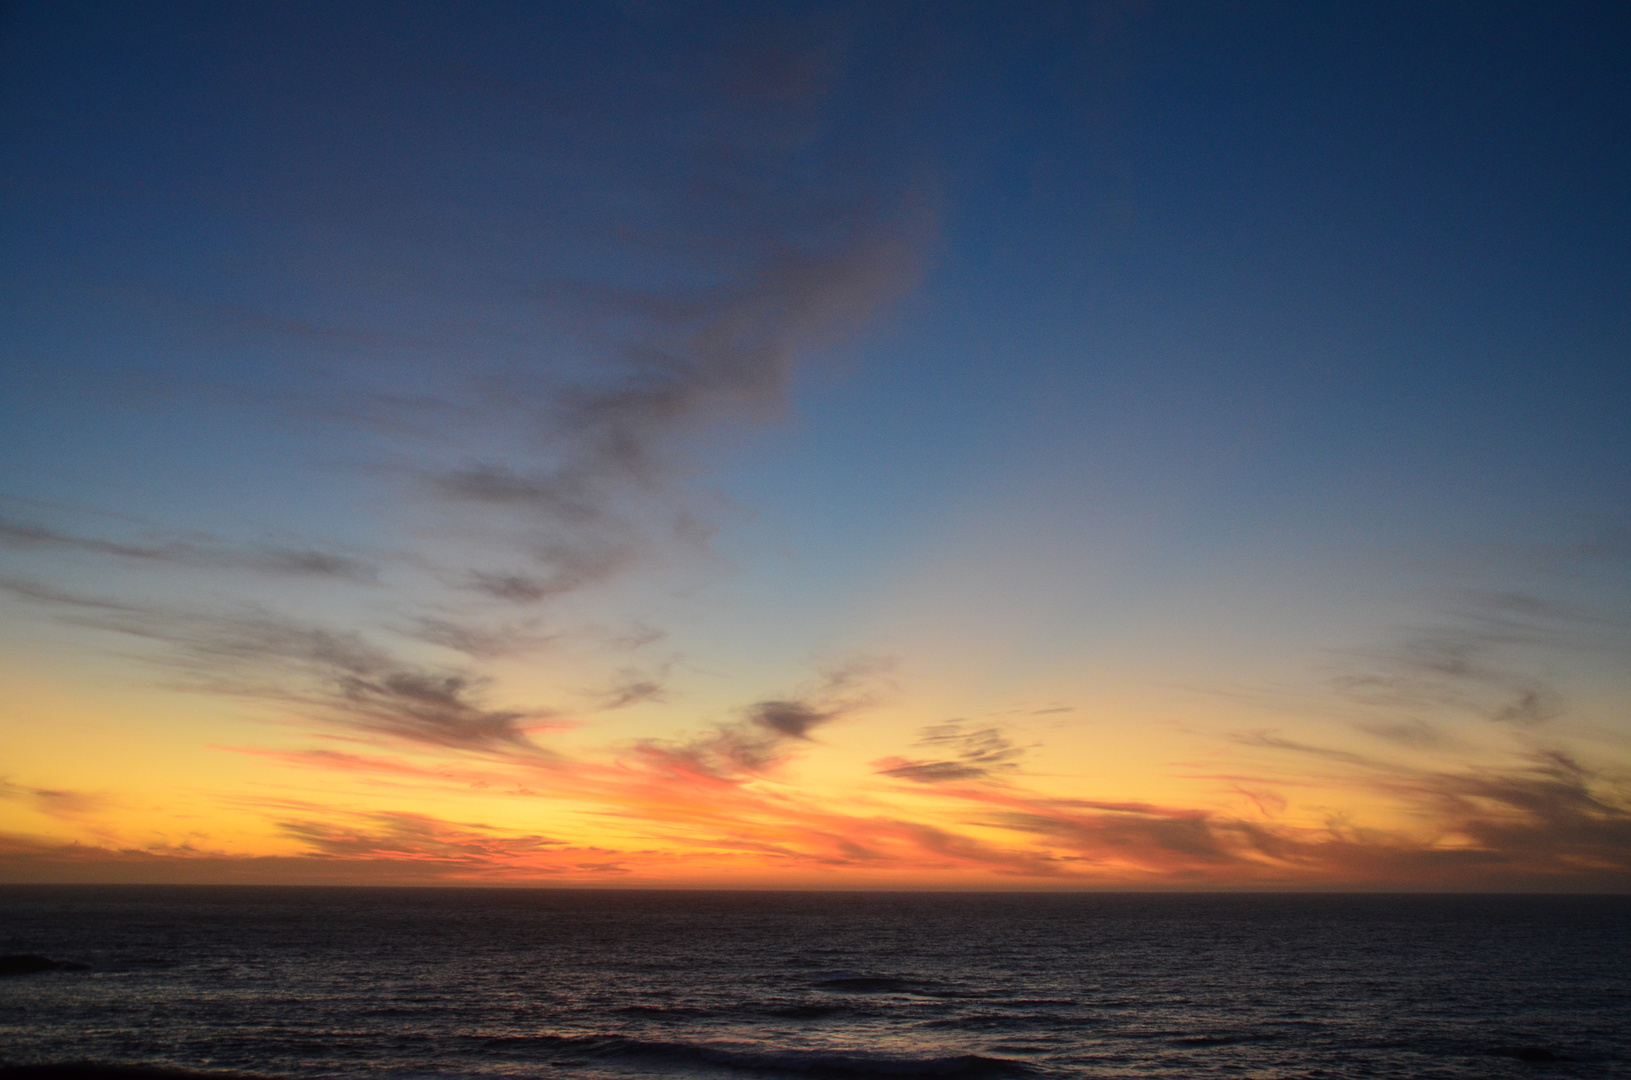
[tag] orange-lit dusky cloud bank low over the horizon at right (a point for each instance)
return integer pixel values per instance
(1545, 821)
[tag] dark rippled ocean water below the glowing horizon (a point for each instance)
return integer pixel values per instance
(340, 983)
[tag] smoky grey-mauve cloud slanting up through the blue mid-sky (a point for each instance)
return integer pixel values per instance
(678, 363)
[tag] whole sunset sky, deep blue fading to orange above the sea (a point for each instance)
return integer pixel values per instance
(826, 446)
